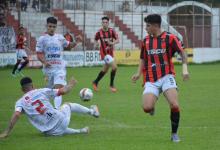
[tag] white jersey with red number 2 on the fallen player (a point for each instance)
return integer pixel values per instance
(40, 112)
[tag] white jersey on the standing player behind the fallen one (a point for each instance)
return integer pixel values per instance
(52, 47)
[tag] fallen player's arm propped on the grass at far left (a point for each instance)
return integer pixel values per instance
(12, 123)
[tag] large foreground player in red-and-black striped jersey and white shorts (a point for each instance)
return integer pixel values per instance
(158, 70)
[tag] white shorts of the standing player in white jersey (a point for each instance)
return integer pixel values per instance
(56, 77)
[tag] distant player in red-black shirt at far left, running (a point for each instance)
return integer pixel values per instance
(21, 48)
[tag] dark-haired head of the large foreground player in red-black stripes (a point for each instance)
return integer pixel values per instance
(153, 23)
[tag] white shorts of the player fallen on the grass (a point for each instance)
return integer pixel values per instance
(62, 126)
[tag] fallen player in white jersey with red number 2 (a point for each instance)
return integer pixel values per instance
(35, 103)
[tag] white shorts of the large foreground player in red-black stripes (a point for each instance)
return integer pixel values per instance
(160, 85)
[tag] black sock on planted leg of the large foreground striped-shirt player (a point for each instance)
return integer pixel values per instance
(174, 117)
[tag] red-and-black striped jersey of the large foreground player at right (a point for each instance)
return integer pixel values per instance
(157, 55)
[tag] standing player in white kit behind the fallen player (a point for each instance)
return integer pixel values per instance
(49, 51)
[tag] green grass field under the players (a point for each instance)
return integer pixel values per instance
(122, 124)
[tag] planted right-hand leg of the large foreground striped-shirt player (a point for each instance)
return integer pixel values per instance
(171, 94)
